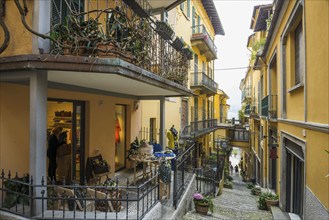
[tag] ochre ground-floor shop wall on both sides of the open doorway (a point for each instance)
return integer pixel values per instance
(100, 124)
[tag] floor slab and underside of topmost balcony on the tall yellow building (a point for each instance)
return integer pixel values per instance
(205, 45)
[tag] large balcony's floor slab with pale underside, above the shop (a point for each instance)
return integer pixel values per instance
(108, 76)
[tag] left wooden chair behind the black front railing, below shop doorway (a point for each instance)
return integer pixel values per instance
(65, 194)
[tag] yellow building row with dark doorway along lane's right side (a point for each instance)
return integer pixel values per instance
(293, 98)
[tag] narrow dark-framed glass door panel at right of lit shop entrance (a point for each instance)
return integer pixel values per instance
(78, 145)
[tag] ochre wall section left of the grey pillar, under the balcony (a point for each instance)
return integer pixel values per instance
(14, 128)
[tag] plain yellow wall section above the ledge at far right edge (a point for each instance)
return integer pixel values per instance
(317, 66)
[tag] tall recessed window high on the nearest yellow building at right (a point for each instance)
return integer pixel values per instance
(299, 54)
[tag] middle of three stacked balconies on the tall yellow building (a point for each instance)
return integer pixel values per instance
(201, 81)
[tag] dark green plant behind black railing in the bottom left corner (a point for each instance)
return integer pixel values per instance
(17, 191)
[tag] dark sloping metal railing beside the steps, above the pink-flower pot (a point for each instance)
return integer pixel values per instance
(183, 172)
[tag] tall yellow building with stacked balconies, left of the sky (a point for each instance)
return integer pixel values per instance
(194, 115)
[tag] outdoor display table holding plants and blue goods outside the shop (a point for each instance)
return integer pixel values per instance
(146, 160)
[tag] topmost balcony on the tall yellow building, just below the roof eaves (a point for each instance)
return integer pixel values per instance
(202, 40)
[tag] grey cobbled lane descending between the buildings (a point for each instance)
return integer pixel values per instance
(236, 203)
